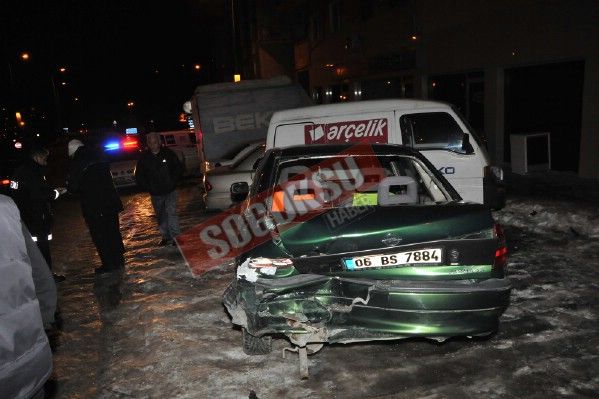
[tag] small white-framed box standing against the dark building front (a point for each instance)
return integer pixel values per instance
(531, 152)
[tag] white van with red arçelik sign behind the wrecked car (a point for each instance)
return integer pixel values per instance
(433, 128)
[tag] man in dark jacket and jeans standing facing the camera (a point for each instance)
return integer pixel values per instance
(158, 171)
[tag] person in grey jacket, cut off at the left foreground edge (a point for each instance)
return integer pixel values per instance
(25, 356)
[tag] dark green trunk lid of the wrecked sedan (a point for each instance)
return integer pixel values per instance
(331, 241)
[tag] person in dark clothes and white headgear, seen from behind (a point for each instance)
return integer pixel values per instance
(89, 176)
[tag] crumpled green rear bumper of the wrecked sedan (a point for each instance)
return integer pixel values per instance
(310, 308)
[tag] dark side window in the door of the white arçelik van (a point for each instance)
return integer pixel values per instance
(434, 130)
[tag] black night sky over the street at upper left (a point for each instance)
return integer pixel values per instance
(114, 52)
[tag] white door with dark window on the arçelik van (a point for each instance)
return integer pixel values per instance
(440, 137)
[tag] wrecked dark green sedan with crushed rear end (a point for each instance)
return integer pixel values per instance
(362, 243)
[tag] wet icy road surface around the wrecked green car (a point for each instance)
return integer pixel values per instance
(158, 332)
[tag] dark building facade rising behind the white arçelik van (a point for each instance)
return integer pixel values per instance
(509, 66)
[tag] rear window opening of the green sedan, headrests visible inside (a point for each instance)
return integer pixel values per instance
(395, 180)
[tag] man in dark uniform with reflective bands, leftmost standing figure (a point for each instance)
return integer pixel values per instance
(33, 195)
